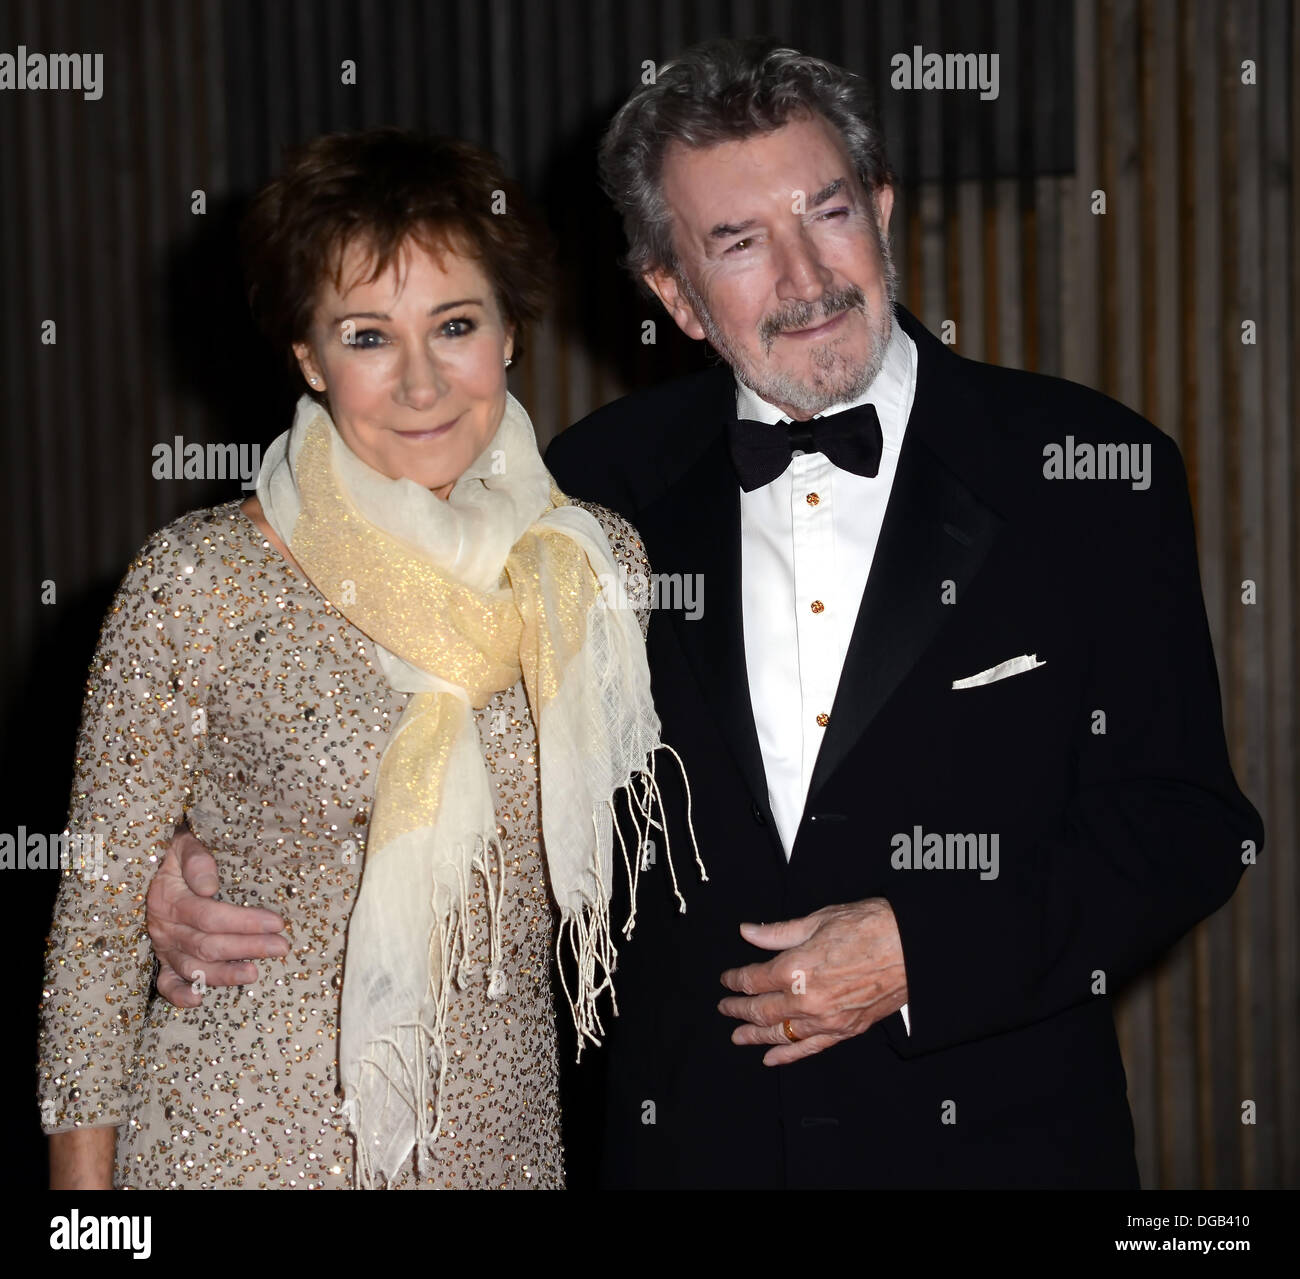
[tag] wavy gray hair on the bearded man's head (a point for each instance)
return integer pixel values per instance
(725, 92)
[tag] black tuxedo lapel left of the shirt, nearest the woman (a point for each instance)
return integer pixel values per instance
(695, 528)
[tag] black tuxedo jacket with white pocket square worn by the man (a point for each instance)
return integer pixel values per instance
(1103, 773)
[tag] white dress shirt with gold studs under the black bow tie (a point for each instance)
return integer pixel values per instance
(808, 541)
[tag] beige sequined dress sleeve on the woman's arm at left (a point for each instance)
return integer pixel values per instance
(136, 755)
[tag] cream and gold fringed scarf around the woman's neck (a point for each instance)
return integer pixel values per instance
(462, 597)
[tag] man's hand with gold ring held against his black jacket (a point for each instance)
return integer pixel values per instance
(840, 972)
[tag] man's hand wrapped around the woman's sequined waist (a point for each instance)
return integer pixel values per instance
(193, 935)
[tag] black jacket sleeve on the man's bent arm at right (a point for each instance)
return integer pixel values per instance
(1155, 835)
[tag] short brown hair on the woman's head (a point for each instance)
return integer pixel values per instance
(382, 188)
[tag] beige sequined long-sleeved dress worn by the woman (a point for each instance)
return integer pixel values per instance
(228, 691)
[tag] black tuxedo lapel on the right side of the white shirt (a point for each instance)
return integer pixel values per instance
(938, 530)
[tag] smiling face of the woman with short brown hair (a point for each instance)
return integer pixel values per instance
(414, 363)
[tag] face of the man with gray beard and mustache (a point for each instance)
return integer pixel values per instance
(783, 265)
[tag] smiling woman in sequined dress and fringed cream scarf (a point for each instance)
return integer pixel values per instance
(359, 688)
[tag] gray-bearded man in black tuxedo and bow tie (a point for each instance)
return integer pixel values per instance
(951, 719)
